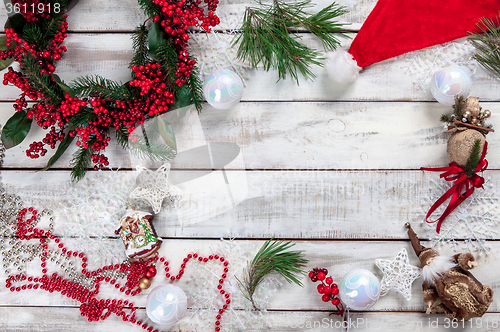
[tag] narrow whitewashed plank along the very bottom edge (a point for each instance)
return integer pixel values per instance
(30, 319)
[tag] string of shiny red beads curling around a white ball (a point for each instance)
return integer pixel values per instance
(91, 307)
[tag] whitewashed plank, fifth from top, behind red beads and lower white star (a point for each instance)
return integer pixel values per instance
(339, 257)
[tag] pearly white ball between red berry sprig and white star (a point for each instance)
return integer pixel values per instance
(359, 289)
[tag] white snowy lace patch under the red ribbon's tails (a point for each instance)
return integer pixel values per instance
(475, 220)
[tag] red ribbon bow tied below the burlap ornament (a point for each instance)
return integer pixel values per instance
(462, 188)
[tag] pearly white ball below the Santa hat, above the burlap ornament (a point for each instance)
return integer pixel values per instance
(449, 82)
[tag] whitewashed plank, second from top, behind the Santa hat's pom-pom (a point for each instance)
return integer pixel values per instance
(109, 54)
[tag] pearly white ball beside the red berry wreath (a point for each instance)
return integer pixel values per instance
(223, 89)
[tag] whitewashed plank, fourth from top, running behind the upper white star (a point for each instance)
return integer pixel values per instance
(319, 205)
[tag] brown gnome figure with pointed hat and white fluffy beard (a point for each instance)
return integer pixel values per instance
(448, 286)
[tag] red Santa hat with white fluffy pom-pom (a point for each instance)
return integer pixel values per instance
(395, 27)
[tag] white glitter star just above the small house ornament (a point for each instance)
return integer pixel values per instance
(154, 187)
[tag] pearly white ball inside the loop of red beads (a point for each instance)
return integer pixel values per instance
(166, 305)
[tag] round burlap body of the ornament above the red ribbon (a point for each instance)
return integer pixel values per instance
(461, 143)
